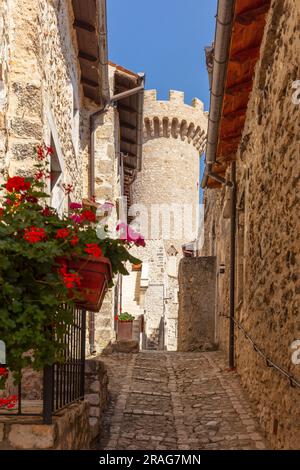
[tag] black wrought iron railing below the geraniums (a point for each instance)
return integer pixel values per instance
(62, 383)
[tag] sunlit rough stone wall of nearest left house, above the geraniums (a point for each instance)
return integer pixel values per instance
(40, 90)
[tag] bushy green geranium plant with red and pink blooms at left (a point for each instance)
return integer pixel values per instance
(37, 294)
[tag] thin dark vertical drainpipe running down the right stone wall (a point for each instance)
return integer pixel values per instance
(232, 265)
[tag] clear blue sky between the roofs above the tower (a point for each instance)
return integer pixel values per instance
(166, 40)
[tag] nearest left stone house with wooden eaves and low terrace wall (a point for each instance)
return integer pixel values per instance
(52, 81)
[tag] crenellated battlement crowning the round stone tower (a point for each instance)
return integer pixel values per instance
(174, 118)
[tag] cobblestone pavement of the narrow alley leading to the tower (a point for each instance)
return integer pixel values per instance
(172, 401)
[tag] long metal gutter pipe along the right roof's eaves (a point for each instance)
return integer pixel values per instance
(224, 23)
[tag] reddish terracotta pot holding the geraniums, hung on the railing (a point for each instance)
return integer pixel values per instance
(95, 276)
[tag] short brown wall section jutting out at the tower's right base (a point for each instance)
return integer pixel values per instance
(196, 315)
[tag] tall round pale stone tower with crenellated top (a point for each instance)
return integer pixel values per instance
(167, 191)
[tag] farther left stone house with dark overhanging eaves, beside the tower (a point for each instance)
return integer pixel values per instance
(117, 155)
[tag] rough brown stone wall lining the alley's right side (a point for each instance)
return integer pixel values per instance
(268, 230)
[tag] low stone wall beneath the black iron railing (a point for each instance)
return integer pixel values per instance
(76, 427)
